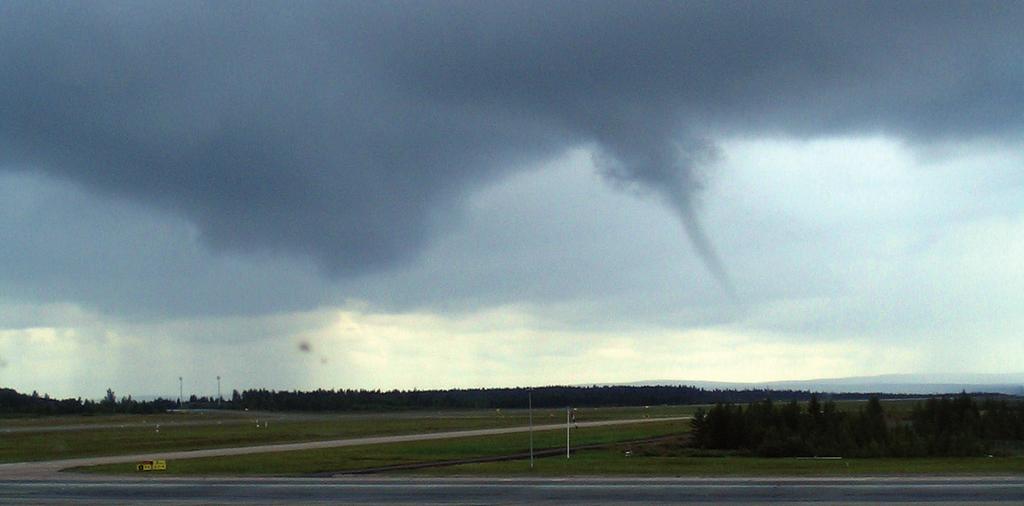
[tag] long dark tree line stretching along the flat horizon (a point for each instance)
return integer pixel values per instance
(13, 402)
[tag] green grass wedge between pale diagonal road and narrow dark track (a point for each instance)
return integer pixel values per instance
(342, 459)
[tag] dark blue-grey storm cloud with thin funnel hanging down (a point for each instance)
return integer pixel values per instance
(350, 132)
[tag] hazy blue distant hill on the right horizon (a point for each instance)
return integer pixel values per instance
(890, 384)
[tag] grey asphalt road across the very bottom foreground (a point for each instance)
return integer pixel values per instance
(477, 491)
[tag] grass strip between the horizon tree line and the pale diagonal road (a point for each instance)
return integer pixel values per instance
(194, 432)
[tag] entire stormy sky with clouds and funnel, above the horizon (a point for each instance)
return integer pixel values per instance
(434, 195)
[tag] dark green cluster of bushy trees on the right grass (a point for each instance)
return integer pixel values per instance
(938, 427)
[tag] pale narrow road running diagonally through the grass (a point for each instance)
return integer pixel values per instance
(42, 471)
